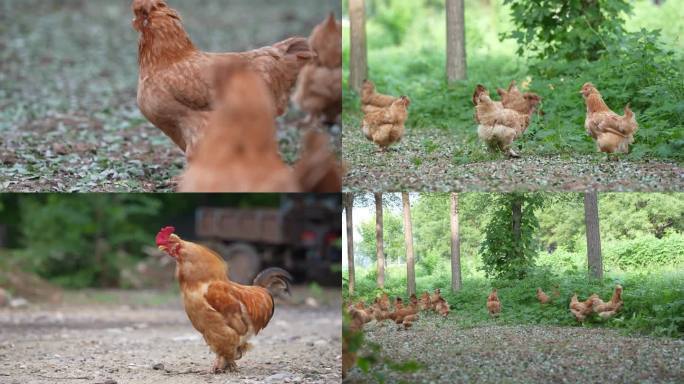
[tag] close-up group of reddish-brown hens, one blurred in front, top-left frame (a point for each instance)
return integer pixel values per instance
(221, 108)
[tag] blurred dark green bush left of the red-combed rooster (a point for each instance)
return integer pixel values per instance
(81, 241)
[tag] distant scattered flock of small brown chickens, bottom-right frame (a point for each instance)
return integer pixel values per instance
(405, 316)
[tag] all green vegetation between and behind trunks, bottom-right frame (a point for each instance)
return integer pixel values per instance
(642, 241)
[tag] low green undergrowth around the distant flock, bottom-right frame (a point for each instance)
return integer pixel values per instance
(654, 298)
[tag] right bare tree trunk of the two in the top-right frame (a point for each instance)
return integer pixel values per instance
(456, 54)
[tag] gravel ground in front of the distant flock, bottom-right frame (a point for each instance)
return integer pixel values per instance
(525, 354)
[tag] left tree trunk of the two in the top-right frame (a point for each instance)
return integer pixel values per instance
(358, 62)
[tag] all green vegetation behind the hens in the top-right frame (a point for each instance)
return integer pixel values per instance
(631, 50)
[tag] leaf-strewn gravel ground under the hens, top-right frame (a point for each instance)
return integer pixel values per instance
(434, 160)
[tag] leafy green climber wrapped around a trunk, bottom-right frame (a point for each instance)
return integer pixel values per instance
(506, 254)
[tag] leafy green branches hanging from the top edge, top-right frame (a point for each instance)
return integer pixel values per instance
(567, 29)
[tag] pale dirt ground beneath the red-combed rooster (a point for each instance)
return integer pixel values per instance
(125, 343)
